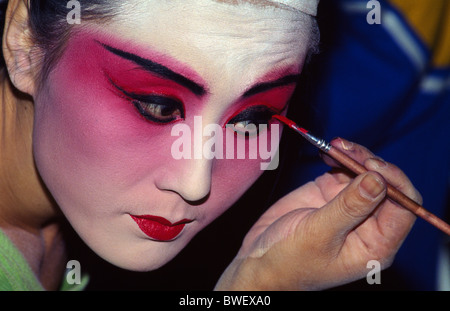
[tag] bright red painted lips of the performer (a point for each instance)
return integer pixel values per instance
(159, 228)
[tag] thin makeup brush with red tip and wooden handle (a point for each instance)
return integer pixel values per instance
(354, 166)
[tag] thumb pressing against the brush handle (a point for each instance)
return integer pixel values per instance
(351, 206)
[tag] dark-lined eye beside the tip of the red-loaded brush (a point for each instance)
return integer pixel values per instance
(247, 123)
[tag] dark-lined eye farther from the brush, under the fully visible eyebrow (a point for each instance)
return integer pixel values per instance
(160, 109)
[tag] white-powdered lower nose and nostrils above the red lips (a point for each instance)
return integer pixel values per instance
(191, 180)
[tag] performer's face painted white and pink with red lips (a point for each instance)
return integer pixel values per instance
(104, 117)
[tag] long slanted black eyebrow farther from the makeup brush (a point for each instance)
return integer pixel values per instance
(158, 69)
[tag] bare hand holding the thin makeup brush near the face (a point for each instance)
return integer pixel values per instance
(324, 233)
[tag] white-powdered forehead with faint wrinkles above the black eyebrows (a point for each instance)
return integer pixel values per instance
(216, 39)
